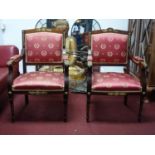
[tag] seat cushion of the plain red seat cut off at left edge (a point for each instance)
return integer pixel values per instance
(3, 78)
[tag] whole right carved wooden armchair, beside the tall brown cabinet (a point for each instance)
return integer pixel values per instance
(110, 48)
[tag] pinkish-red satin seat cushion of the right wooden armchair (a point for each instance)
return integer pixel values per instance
(112, 81)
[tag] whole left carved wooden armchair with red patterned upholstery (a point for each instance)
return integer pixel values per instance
(40, 47)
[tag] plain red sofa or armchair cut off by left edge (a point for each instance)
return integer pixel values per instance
(6, 52)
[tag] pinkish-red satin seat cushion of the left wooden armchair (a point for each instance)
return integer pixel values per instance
(39, 81)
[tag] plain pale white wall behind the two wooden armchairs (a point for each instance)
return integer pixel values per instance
(13, 36)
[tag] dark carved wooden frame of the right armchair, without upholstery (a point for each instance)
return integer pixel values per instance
(142, 76)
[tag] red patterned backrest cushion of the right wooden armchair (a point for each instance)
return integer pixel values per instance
(109, 48)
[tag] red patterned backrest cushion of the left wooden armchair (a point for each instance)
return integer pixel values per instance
(43, 47)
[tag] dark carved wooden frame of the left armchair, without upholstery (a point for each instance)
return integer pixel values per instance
(18, 58)
